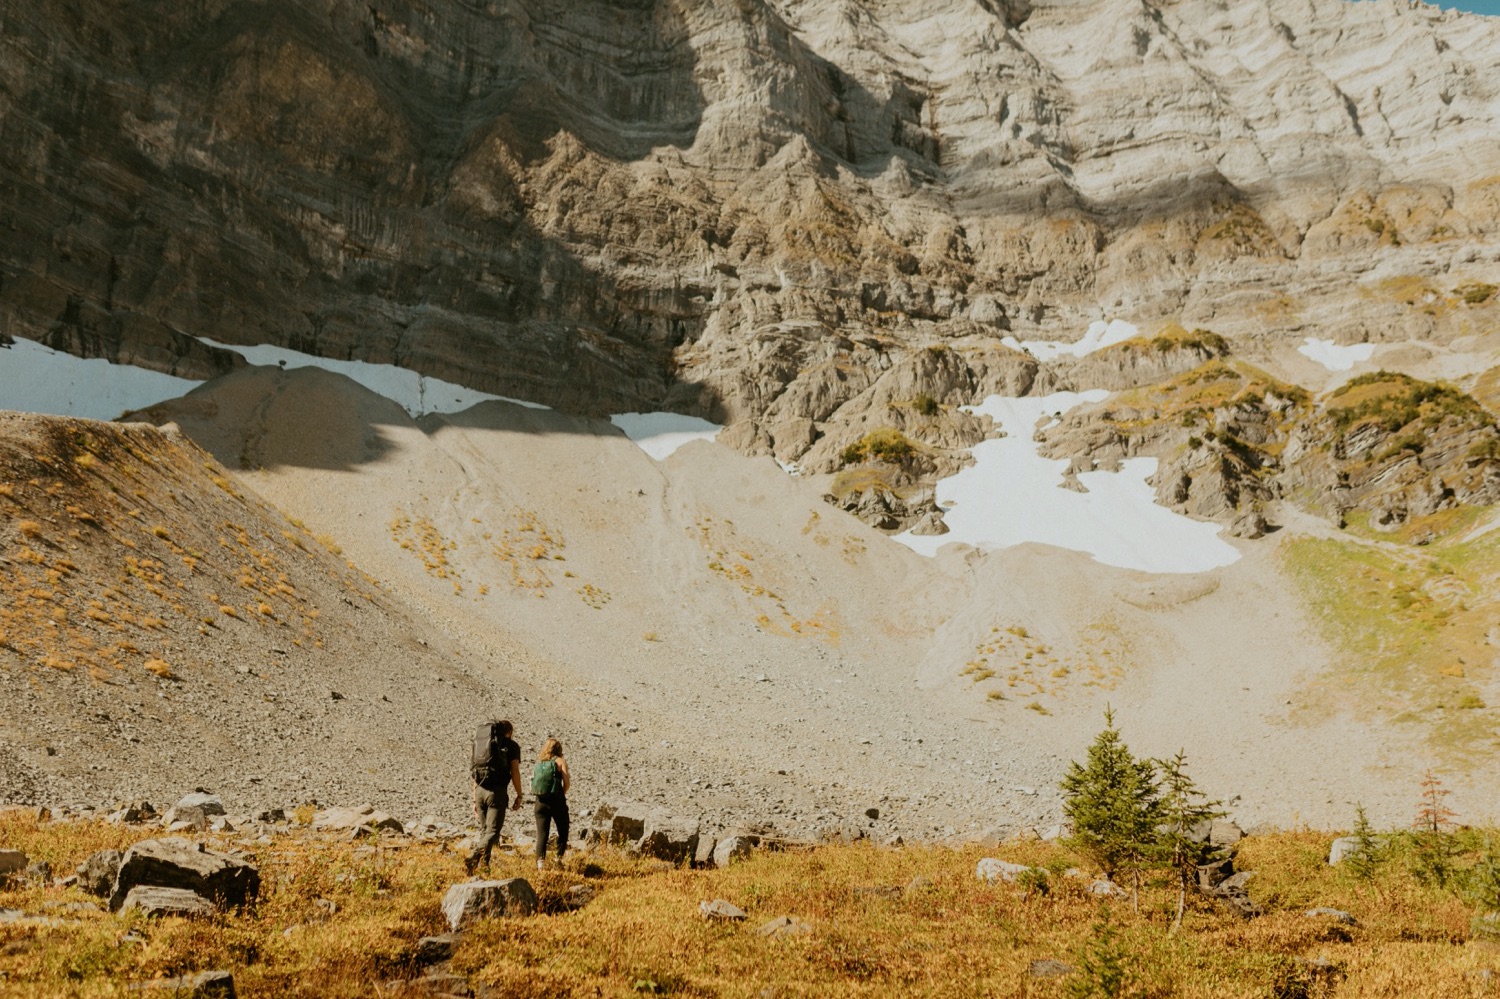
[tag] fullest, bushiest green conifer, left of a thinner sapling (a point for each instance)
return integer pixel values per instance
(1114, 803)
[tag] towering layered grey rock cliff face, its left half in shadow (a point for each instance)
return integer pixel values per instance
(764, 211)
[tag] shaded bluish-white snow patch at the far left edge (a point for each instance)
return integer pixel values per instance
(37, 379)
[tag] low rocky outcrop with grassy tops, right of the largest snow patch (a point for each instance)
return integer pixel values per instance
(1234, 442)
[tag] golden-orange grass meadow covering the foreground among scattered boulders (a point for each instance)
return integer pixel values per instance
(935, 932)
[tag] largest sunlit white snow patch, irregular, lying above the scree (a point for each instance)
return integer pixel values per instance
(1012, 496)
